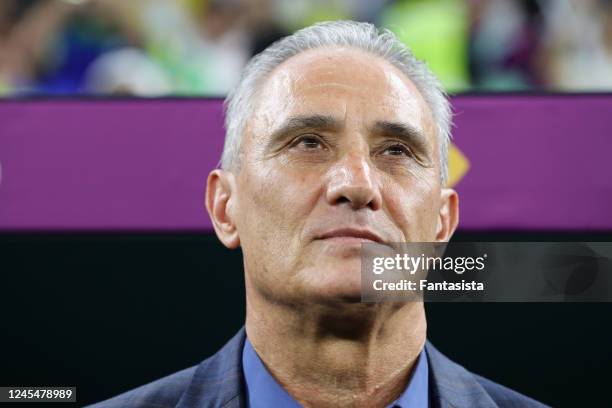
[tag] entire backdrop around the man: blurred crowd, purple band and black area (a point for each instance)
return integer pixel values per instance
(110, 275)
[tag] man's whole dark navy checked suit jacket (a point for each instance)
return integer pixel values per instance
(218, 382)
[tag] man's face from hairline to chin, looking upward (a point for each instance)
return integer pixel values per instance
(340, 150)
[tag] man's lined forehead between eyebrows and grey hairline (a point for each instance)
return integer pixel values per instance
(343, 82)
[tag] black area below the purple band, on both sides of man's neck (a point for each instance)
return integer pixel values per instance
(109, 312)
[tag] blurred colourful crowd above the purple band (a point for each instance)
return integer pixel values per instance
(199, 47)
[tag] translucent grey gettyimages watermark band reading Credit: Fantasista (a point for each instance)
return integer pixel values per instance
(492, 271)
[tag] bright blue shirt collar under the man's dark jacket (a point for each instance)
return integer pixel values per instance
(263, 391)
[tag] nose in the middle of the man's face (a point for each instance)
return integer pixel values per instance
(352, 181)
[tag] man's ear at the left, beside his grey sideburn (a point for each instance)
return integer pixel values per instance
(220, 203)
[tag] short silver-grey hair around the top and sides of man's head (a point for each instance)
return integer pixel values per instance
(240, 102)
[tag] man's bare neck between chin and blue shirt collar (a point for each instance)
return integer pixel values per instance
(338, 354)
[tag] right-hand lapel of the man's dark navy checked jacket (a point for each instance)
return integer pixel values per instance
(452, 385)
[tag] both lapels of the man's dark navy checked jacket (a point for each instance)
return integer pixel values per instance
(219, 381)
